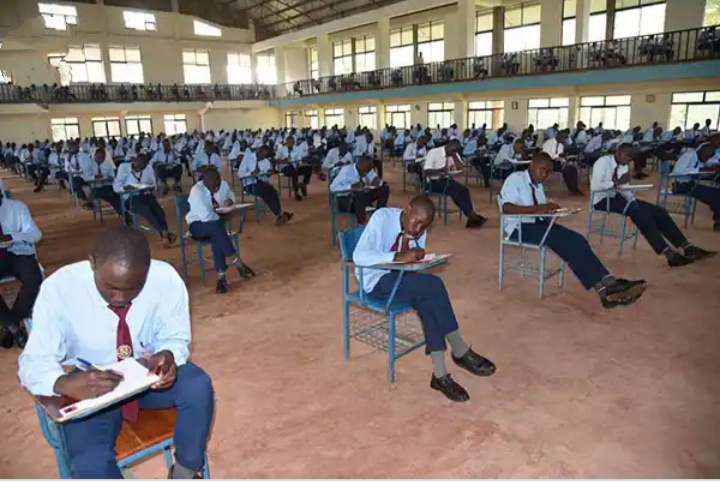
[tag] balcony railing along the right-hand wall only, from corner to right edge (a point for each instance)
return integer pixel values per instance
(670, 47)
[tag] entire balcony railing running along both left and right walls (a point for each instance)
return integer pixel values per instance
(670, 47)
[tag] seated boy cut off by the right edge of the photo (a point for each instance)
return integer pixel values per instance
(690, 164)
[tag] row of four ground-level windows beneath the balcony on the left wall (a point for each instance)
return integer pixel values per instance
(69, 127)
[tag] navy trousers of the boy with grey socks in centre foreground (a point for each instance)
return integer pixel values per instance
(428, 296)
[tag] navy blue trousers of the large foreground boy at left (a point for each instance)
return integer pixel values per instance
(91, 442)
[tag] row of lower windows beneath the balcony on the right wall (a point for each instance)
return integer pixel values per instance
(612, 111)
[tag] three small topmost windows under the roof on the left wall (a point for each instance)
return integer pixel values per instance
(58, 17)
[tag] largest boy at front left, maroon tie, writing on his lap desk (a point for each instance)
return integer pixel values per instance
(119, 303)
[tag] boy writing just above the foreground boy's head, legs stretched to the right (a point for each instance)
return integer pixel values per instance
(140, 173)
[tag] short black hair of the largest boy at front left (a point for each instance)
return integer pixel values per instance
(123, 245)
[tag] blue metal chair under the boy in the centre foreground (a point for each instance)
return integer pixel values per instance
(381, 334)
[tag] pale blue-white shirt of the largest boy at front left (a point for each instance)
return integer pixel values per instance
(71, 320)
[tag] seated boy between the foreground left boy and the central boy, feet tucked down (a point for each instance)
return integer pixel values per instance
(206, 196)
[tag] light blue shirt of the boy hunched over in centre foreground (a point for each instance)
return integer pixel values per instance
(375, 243)
